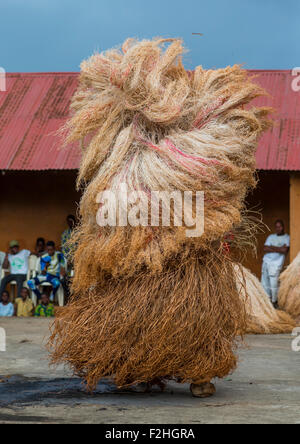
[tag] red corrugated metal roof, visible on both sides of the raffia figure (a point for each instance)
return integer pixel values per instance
(36, 105)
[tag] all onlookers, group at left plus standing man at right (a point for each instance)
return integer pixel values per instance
(54, 270)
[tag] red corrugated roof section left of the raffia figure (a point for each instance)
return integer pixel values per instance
(32, 110)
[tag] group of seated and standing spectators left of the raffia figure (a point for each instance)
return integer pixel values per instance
(52, 267)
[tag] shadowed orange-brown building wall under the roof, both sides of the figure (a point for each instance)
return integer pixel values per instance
(34, 204)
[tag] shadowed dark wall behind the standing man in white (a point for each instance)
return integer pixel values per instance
(271, 198)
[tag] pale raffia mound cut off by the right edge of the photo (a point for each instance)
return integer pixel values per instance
(289, 290)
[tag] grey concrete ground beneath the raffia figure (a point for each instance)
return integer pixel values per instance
(264, 389)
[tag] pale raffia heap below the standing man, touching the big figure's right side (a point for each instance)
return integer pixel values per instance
(262, 318)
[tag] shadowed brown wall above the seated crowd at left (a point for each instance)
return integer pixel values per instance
(35, 204)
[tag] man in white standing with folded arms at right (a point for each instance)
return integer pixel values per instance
(276, 249)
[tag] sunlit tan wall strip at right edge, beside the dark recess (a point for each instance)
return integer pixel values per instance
(295, 214)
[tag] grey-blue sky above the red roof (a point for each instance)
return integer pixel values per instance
(55, 35)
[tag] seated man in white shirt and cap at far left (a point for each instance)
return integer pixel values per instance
(17, 261)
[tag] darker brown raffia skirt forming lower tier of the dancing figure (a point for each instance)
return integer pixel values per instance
(142, 328)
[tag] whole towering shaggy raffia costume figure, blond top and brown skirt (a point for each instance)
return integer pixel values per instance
(149, 302)
